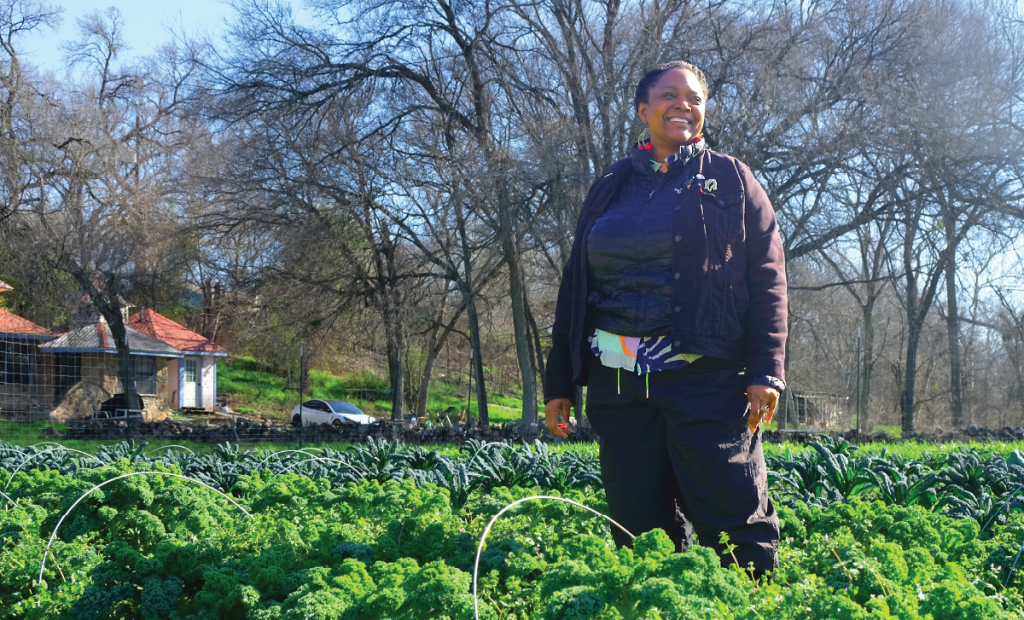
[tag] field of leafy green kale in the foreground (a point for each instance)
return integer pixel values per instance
(385, 531)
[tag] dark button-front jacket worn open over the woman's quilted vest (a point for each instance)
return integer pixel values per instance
(729, 295)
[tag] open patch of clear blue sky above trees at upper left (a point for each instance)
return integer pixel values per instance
(146, 26)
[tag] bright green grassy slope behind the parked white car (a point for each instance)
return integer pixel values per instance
(252, 389)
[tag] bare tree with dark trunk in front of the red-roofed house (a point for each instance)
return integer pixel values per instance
(107, 204)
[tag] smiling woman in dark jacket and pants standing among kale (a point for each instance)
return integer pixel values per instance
(673, 310)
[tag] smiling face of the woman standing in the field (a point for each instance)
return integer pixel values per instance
(674, 111)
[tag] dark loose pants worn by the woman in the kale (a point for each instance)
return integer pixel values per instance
(685, 448)
